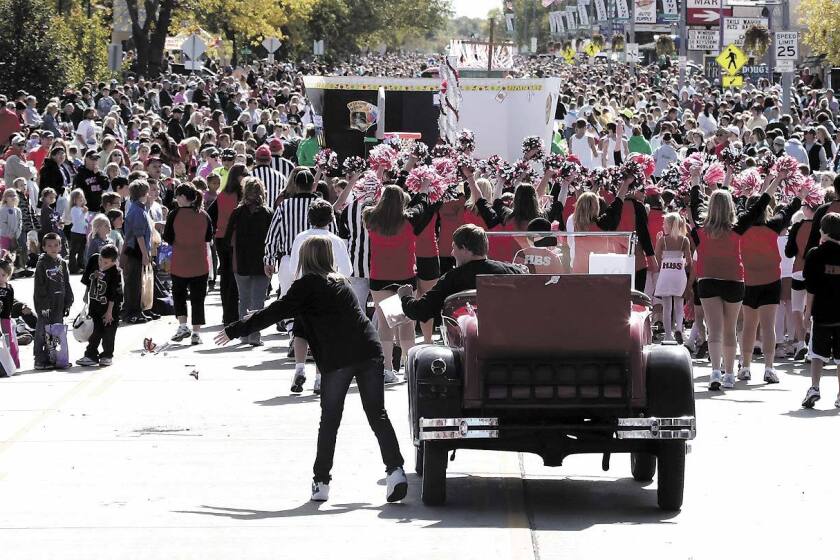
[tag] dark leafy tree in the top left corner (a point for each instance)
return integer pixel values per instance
(34, 49)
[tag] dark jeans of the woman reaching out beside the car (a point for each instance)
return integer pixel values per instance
(334, 385)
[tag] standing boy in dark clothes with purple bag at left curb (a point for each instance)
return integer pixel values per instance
(53, 296)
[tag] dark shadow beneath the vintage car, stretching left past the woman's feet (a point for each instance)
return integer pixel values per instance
(472, 501)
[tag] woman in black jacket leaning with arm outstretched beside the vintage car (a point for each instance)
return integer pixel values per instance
(345, 345)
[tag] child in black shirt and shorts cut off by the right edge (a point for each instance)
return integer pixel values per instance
(822, 280)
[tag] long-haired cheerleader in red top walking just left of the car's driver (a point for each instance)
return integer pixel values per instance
(392, 225)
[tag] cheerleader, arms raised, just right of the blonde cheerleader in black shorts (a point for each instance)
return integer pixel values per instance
(762, 277)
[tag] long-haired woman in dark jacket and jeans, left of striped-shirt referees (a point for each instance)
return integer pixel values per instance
(246, 233)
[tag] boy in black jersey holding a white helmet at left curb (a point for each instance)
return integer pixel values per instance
(104, 296)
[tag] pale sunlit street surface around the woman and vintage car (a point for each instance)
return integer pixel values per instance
(143, 460)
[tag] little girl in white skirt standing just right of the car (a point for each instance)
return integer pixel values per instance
(673, 251)
